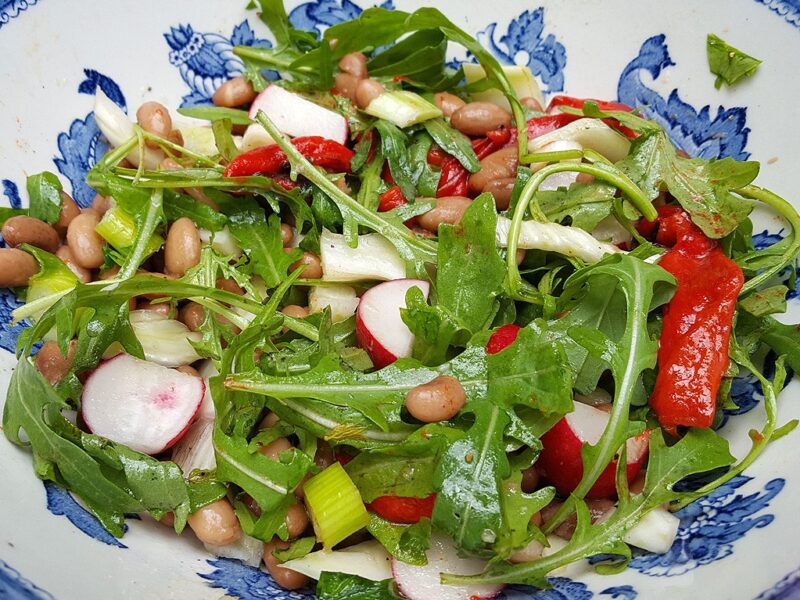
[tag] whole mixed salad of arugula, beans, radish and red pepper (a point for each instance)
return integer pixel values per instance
(393, 326)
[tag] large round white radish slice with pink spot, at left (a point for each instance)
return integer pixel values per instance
(140, 404)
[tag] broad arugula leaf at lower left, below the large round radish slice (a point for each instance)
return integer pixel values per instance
(110, 479)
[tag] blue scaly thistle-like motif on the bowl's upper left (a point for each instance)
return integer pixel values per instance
(206, 60)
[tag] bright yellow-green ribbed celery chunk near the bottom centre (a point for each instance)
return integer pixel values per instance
(335, 505)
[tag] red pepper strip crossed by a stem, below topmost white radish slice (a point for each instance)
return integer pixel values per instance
(268, 160)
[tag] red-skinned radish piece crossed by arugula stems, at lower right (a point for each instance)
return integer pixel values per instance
(560, 461)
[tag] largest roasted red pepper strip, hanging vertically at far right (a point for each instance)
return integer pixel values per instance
(693, 350)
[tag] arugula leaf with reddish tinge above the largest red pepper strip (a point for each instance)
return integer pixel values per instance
(702, 187)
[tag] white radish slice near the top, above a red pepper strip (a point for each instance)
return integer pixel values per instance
(296, 116)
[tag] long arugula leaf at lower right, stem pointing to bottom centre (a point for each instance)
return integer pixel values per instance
(699, 451)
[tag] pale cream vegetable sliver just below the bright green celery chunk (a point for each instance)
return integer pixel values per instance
(368, 560)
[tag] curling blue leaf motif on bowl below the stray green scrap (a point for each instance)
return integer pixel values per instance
(691, 130)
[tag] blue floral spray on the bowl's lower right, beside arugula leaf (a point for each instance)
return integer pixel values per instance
(710, 527)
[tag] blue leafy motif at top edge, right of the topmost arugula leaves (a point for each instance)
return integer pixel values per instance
(524, 43)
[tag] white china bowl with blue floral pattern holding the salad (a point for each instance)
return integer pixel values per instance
(739, 543)
